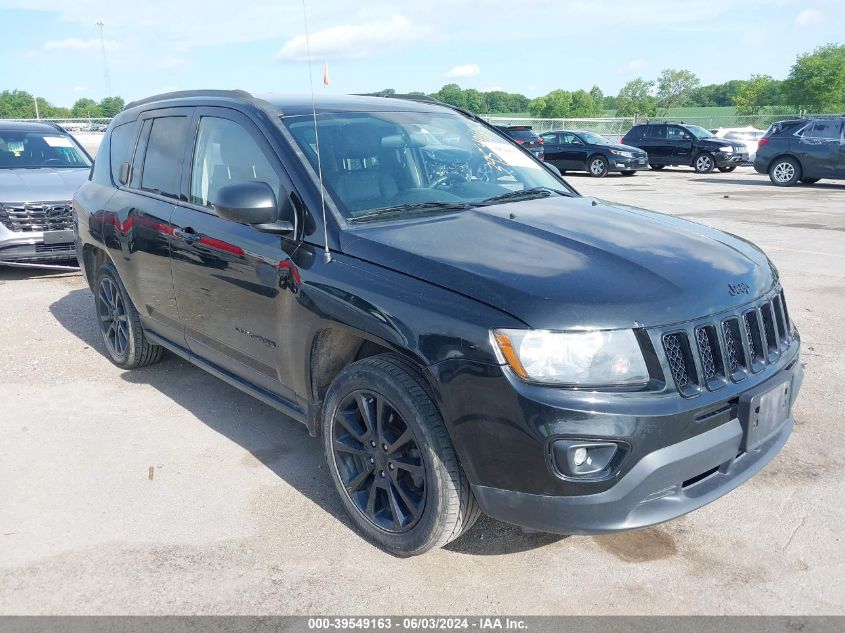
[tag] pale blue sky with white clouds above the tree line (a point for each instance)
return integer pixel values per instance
(52, 47)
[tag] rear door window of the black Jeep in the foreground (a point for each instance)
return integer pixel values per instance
(163, 156)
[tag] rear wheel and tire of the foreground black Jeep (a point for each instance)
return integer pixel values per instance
(120, 324)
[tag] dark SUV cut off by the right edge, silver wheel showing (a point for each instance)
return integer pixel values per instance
(802, 150)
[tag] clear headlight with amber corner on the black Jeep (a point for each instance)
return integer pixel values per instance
(600, 358)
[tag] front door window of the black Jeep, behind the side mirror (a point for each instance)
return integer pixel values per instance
(226, 154)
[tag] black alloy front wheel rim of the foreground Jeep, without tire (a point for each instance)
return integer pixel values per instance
(379, 461)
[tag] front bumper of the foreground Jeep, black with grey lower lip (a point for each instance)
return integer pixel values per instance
(680, 453)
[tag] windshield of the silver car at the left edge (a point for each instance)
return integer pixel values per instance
(30, 150)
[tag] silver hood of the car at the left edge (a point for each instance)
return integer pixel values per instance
(41, 184)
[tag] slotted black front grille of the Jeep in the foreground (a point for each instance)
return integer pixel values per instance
(730, 347)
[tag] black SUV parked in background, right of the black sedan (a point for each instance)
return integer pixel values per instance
(683, 144)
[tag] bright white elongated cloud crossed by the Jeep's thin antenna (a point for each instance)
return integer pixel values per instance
(351, 41)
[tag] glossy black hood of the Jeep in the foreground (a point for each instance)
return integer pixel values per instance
(558, 262)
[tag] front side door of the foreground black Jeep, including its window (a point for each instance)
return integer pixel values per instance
(234, 284)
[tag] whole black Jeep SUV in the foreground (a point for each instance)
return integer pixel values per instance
(460, 343)
